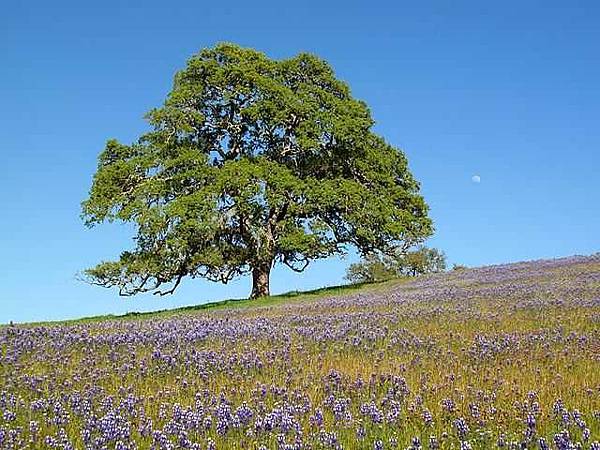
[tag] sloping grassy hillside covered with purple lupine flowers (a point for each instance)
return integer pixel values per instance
(498, 357)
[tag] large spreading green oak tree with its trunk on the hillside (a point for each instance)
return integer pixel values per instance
(249, 162)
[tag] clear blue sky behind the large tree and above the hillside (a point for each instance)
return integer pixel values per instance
(506, 90)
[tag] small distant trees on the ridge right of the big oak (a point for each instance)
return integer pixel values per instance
(380, 267)
